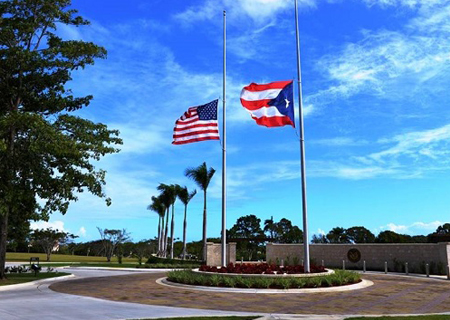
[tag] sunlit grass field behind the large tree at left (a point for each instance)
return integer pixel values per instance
(25, 257)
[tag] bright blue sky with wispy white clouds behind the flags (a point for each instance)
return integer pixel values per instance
(377, 117)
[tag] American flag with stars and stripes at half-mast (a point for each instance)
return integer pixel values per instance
(197, 124)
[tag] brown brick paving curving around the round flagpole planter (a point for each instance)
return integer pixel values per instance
(388, 295)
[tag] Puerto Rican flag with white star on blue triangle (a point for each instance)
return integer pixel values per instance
(271, 104)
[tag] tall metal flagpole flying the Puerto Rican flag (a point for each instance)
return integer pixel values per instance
(302, 149)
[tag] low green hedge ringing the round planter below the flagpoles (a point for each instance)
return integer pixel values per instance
(339, 278)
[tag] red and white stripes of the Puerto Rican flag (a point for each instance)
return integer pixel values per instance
(256, 98)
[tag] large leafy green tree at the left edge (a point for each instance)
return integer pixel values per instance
(45, 152)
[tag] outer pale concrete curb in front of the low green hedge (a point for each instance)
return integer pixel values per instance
(361, 285)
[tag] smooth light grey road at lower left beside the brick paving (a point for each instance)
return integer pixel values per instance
(38, 301)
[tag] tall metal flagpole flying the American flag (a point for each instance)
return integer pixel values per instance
(224, 151)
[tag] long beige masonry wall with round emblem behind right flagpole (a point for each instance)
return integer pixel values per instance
(375, 255)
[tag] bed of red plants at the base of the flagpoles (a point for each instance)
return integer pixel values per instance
(261, 268)
